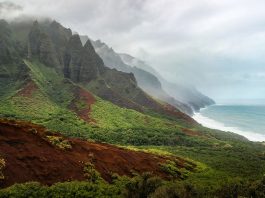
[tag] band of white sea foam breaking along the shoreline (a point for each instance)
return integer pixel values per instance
(213, 124)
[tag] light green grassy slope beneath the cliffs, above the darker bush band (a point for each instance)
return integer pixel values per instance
(48, 105)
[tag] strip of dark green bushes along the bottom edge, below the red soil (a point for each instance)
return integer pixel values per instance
(140, 186)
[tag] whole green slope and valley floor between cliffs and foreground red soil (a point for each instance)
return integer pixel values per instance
(223, 155)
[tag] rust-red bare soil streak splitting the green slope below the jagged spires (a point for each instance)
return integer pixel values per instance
(81, 104)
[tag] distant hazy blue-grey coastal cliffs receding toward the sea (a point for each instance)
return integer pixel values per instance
(185, 98)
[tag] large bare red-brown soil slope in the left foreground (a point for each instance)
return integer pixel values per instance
(30, 157)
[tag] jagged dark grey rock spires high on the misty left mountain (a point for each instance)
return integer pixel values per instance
(55, 47)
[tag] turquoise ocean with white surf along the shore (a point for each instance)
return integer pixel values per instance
(247, 120)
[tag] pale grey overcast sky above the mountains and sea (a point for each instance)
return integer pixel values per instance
(217, 45)
